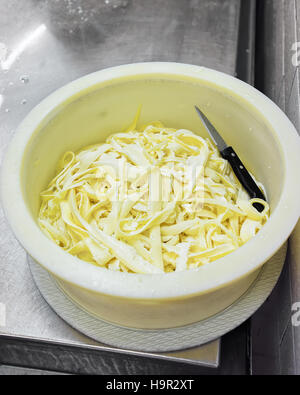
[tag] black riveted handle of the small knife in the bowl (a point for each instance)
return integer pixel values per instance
(243, 176)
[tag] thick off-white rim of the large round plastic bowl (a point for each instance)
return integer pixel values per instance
(220, 273)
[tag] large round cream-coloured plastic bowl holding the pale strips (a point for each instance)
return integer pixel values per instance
(86, 111)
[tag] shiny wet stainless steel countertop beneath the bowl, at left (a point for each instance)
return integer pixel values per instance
(45, 44)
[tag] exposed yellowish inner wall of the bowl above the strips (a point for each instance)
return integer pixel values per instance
(93, 114)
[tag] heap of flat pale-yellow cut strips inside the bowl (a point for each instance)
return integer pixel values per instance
(153, 200)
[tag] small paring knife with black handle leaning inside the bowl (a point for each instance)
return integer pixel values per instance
(238, 167)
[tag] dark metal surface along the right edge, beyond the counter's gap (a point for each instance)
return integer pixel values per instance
(275, 339)
